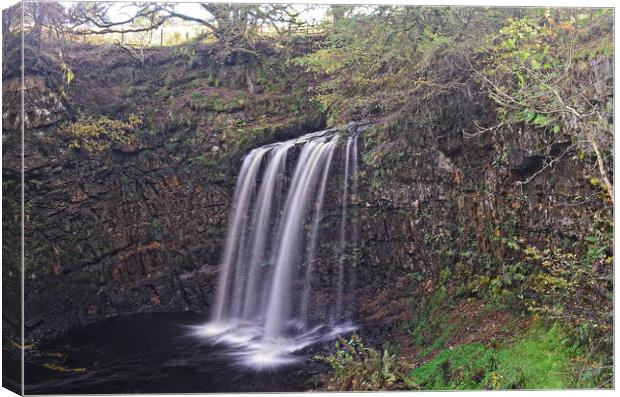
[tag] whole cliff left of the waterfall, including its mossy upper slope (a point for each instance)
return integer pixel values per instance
(139, 226)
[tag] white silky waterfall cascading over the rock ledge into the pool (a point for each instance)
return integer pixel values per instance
(264, 301)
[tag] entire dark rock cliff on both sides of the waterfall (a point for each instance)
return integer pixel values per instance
(139, 227)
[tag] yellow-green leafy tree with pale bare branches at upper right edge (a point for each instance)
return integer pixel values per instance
(554, 71)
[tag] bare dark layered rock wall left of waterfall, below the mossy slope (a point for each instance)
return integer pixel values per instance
(111, 233)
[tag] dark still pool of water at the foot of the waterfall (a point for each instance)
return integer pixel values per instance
(153, 353)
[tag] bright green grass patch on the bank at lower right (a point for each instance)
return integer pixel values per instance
(539, 359)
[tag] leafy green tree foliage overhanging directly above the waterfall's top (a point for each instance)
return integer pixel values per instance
(376, 57)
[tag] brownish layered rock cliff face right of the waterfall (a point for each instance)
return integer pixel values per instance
(439, 199)
